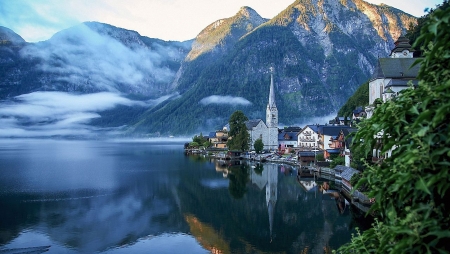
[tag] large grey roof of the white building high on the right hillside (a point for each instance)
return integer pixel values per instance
(396, 68)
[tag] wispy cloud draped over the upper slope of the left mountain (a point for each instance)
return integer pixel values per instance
(117, 62)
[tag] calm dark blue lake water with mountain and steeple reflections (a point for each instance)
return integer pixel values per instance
(149, 197)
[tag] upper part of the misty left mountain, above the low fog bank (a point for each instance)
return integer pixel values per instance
(93, 57)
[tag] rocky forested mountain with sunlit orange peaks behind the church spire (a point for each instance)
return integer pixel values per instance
(321, 50)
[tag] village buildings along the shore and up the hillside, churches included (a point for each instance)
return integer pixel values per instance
(333, 139)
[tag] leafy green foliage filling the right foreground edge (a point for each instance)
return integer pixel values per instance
(411, 187)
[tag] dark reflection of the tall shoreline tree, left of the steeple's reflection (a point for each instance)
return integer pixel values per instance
(239, 178)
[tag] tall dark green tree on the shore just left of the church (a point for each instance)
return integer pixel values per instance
(238, 132)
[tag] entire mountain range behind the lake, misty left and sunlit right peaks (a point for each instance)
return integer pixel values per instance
(95, 76)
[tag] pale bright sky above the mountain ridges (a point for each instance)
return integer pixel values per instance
(38, 20)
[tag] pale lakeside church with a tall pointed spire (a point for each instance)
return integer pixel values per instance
(267, 132)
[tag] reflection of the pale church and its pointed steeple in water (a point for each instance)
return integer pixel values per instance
(269, 179)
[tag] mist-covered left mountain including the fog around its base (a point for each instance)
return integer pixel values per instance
(133, 71)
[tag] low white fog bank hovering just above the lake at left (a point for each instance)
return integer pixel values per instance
(45, 114)
